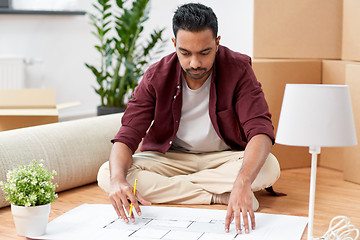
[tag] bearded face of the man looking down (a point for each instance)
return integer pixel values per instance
(196, 52)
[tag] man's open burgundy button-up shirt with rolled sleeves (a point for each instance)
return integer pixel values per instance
(237, 107)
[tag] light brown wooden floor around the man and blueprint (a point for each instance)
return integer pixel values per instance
(333, 197)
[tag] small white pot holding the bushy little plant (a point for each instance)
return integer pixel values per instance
(30, 221)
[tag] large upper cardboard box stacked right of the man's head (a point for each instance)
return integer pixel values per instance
(298, 29)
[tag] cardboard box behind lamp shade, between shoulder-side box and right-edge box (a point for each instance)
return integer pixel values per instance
(334, 72)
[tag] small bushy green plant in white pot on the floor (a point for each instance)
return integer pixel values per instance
(30, 191)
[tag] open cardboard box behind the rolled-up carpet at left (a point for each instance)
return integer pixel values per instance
(27, 107)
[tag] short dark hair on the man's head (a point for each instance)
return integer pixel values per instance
(195, 17)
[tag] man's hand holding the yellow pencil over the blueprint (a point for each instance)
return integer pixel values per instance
(119, 195)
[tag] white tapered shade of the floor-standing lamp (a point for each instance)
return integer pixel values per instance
(316, 115)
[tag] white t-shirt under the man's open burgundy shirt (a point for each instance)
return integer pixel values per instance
(196, 133)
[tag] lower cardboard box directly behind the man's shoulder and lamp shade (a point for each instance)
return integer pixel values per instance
(274, 75)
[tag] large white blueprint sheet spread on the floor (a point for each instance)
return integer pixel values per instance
(99, 221)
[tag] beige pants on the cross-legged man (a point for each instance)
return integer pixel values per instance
(185, 178)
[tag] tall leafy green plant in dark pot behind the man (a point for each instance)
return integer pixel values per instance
(123, 56)
